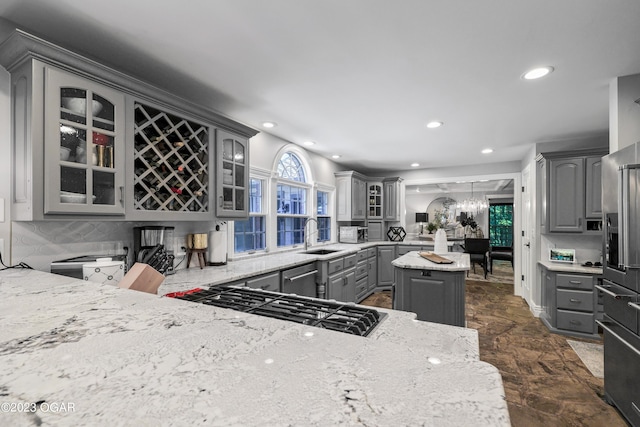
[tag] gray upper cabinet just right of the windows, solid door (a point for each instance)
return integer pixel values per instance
(352, 196)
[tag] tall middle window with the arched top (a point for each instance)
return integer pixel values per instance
(291, 201)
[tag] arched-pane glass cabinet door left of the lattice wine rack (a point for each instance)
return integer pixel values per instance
(84, 146)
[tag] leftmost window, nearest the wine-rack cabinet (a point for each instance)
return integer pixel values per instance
(250, 234)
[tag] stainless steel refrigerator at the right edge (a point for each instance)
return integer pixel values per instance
(621, 283)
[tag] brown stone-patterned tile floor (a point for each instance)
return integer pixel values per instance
(546, 383)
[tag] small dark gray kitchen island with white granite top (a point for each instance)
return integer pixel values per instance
(435, 292)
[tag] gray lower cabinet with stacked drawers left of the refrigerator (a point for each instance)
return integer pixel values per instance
(570, 303)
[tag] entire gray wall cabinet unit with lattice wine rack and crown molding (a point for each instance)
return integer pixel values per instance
(79, 149)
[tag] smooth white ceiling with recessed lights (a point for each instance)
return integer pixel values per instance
(362, 78)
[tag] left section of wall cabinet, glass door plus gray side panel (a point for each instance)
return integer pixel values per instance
(67, 144)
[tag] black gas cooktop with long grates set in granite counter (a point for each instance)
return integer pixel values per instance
(336, 316)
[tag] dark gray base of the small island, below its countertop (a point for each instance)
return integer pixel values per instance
(434, 296)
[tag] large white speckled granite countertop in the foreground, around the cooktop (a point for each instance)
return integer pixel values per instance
(115, 356)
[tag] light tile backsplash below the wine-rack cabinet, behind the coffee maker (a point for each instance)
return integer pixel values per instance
(39, 243)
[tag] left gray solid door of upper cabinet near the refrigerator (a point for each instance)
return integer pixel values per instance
(566, 195)
